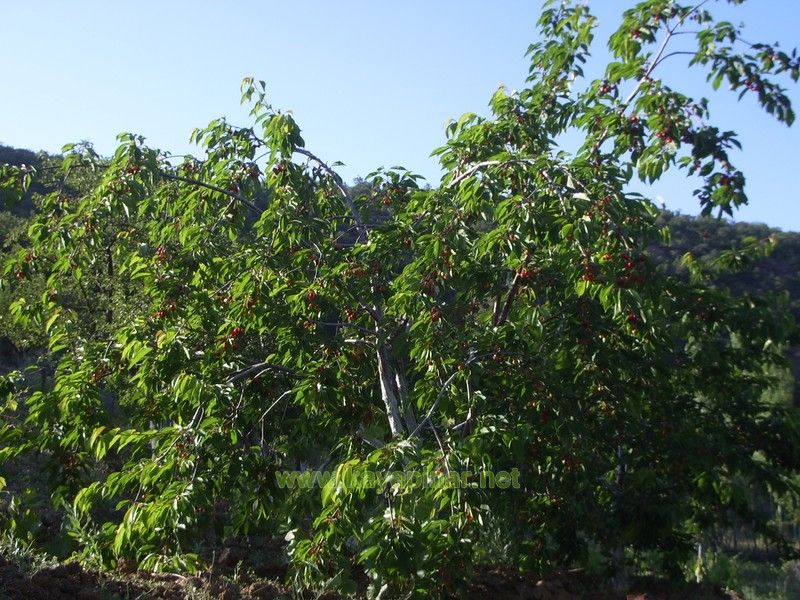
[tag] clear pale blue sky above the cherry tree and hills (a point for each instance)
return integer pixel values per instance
(371, 83)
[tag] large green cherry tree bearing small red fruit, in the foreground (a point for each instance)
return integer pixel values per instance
(266, 318)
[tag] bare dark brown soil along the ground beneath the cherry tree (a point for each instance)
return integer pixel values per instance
(71, 581)
